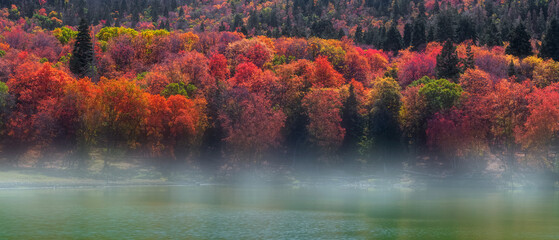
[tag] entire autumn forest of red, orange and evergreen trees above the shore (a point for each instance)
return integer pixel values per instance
(228, 84)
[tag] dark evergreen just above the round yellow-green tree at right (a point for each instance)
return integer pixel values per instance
(447, 62)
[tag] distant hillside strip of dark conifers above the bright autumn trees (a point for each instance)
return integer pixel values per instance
(386, 24)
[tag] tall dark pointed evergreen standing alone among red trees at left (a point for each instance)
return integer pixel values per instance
(81, 62)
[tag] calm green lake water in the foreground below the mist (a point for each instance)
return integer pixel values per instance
(210, 212)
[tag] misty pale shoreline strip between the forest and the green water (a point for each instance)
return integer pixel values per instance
(34, 181)
